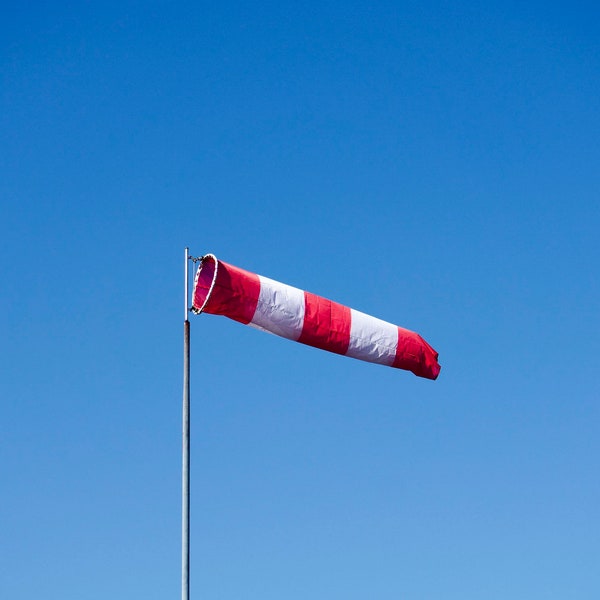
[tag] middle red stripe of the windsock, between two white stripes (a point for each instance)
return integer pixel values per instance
(326, 324)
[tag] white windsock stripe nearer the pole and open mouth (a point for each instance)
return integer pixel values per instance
(280, 309)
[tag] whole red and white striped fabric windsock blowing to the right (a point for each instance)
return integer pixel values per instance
(222, 289)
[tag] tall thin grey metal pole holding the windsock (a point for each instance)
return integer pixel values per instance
(185, 474)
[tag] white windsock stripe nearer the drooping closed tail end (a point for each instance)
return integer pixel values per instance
(372, 339)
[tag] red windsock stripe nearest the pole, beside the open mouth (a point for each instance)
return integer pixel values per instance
(235, 293)
